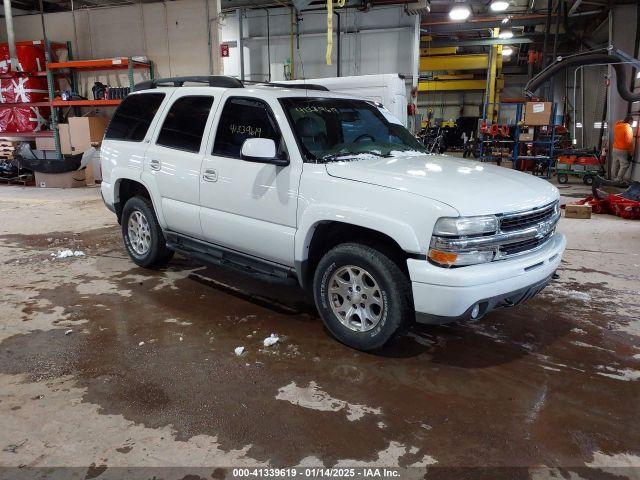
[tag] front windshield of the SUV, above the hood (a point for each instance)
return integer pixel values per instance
(329, 129)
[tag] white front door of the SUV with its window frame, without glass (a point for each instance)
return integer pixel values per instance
(251, 207)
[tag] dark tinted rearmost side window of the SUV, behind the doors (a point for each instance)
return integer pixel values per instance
(133, 117)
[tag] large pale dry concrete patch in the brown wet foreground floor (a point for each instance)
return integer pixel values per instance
(313, 398)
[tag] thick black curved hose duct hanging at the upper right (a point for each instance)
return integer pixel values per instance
(614, 57)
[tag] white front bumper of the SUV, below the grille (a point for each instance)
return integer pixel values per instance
(444, 295)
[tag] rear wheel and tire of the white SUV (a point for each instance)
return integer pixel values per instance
(144, 241)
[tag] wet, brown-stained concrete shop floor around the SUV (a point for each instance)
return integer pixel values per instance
(147, 375)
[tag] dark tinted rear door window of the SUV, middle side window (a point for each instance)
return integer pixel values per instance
(184, 124)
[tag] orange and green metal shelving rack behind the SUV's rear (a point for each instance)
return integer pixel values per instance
(72, 67)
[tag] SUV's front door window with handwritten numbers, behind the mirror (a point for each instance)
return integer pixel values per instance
(244, 118)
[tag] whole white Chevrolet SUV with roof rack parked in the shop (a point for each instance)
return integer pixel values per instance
(289, 182)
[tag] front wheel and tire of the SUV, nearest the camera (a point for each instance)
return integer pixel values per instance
(388, 310)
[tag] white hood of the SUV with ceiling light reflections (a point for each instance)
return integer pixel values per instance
(471, 187)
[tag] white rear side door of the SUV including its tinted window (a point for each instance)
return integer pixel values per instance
(175, 156)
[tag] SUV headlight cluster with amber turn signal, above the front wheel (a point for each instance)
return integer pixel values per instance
(449, 228)
